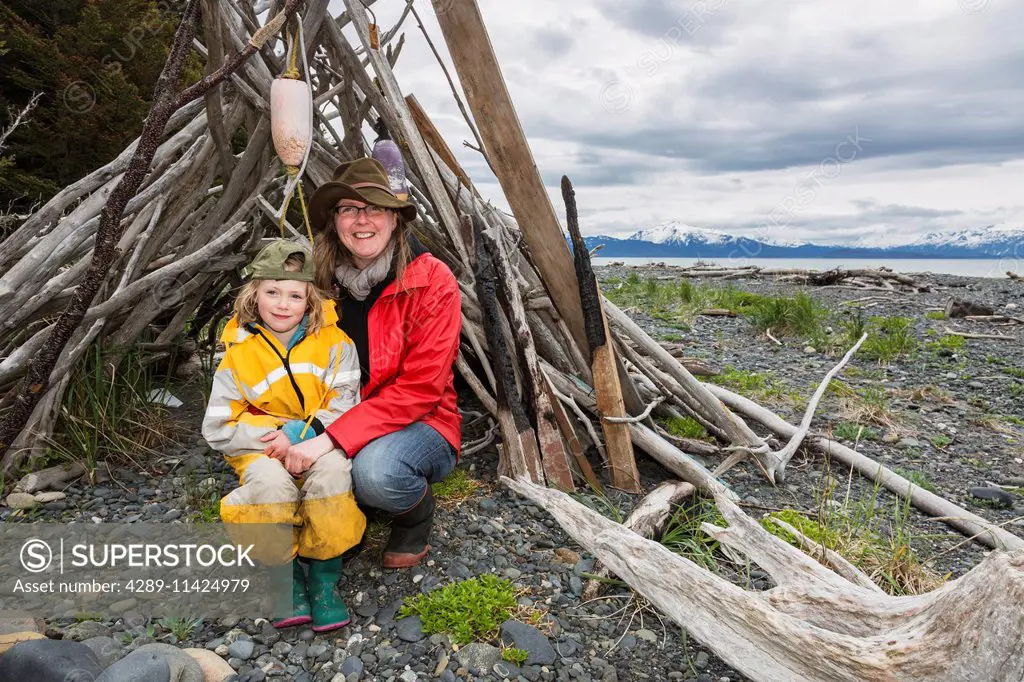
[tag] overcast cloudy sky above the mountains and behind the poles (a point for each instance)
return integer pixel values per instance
(810, 120)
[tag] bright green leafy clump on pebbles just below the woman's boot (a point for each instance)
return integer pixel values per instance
(468, 611)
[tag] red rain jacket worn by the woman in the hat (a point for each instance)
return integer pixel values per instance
(414, 330)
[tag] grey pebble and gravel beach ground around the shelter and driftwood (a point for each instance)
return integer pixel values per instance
(957, 419)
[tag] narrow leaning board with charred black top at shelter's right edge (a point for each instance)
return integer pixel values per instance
(622, 461)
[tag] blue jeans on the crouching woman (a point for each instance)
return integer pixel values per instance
(393, 473)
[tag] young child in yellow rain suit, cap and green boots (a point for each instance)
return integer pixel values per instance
(288, 373)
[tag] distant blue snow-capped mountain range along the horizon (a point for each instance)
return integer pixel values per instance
(675, 240)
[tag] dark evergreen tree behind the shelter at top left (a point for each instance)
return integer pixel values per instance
(97, 63)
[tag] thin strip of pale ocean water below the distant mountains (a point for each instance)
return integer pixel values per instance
(964, 268)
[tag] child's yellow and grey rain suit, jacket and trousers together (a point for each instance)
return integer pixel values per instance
(261, 386)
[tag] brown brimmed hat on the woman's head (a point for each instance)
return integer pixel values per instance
(363, 181)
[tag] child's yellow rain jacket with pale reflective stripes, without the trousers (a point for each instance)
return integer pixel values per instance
(260, 386)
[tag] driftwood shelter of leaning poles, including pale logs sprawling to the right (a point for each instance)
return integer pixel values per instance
(156, 238)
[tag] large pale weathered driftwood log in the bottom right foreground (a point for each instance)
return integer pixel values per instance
(815, 626)
